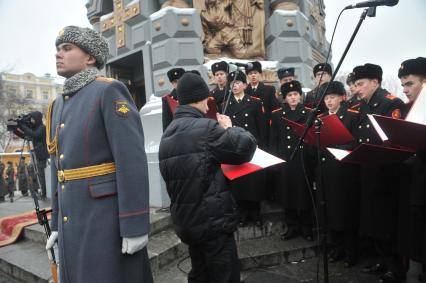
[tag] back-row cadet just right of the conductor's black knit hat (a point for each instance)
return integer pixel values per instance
(220, 72)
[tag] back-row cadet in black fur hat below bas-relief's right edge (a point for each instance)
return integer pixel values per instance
(266, 93)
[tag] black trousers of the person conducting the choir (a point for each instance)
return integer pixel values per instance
(215, 261)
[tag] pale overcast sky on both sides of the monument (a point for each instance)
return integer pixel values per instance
(28, 29)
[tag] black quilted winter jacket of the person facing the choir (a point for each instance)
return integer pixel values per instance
(191, 151)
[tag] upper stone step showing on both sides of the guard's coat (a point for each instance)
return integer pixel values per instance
(159, 221)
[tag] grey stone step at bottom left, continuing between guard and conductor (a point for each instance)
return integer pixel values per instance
(26, 260)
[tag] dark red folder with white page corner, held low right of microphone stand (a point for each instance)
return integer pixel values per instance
(371, 154)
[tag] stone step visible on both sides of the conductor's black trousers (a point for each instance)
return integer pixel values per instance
(255, 253)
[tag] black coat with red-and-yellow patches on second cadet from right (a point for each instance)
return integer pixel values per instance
(379, 184)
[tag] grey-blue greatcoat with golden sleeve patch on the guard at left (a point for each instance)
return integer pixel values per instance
(99, 123)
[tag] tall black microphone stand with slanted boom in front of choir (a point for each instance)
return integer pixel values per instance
(371, 12)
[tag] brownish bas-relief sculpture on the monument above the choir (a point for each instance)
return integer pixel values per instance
(232, 28)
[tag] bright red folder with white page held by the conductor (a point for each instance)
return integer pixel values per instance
(261, 159)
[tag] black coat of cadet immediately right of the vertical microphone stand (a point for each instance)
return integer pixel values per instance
(341, 180)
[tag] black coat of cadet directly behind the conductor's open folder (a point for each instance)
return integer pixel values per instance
(249, 115)
